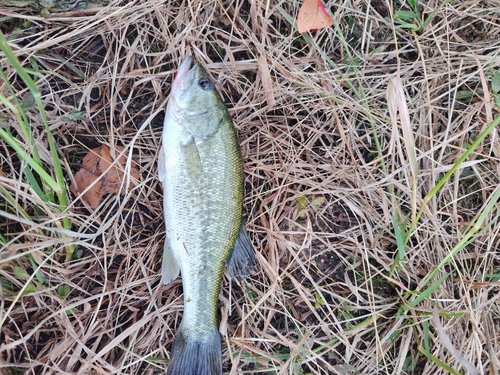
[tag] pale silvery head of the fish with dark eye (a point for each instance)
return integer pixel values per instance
(194, 102)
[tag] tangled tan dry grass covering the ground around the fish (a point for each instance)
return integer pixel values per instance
(364, 116)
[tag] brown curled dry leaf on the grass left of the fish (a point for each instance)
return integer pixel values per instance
(105, 176)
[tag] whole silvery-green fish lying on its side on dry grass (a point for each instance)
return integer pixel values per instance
(201, 170)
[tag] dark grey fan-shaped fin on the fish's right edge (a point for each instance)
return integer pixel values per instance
(241, 262)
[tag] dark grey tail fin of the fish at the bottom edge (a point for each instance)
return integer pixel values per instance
(200, 356)
